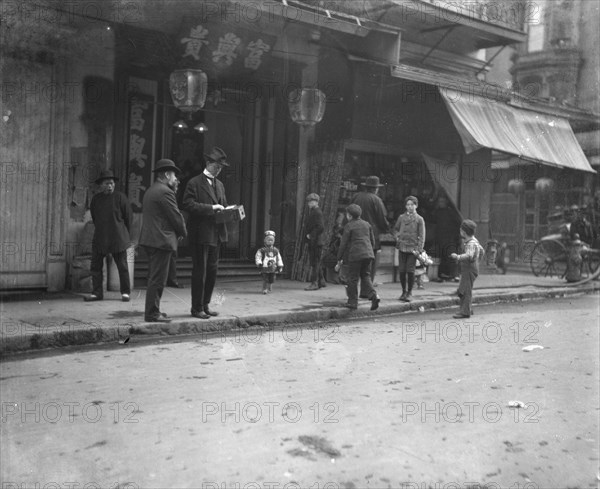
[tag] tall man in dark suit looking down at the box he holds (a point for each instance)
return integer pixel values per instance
(204, 197)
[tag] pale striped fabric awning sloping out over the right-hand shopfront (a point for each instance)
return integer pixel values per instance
(488, 123)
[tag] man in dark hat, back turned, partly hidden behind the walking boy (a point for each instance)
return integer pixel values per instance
(374, 212)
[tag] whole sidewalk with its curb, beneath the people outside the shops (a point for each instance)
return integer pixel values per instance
(57, 320)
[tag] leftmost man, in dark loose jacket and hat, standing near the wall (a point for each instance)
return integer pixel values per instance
(111, 213)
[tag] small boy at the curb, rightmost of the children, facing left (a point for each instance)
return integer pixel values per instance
(469, 267)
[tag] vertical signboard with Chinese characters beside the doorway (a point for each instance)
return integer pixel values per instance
(141, 131)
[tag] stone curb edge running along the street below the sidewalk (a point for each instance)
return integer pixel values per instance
(121, 334)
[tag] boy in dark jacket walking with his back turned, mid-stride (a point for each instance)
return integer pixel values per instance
(357, 247)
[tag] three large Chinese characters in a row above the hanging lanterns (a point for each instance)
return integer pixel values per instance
(222, 48)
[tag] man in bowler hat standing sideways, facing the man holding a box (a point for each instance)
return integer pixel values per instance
(162, 226)
